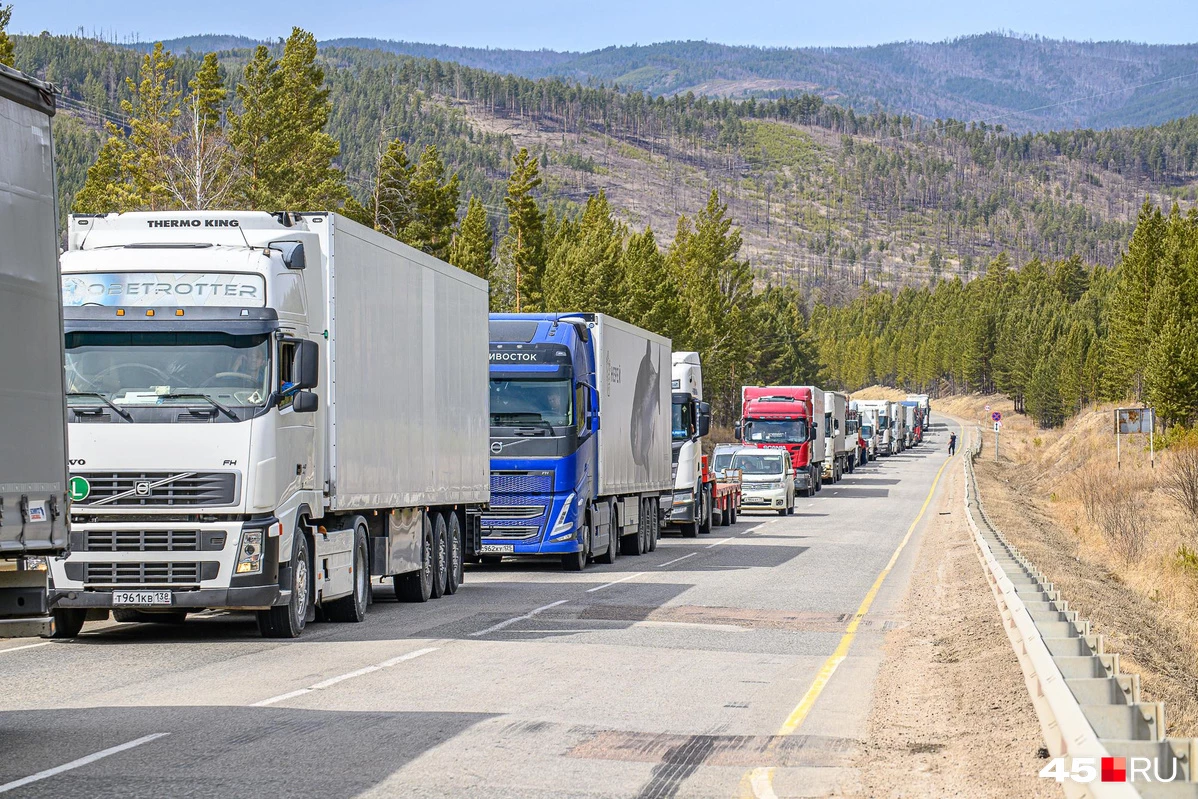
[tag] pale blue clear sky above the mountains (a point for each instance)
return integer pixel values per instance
(573, 26)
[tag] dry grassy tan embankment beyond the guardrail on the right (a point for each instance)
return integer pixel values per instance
(1055, 495)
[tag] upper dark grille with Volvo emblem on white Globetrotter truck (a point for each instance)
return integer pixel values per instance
(135, 489)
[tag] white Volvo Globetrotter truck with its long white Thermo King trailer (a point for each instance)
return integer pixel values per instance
(264, 413)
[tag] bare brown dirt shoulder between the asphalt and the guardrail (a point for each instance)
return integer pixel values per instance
(952, 716)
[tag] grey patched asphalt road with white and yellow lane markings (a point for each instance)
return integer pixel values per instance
(685, 673)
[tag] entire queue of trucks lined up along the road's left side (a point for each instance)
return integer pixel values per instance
(275, 413)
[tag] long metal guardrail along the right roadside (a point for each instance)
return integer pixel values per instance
(1086, 705)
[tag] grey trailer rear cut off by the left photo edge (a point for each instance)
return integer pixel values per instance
(33, 427)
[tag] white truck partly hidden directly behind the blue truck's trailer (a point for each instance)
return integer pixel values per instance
(692, 419)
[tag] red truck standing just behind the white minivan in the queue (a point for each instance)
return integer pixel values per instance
(788, 417)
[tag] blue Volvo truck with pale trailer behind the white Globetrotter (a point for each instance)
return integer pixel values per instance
(580, 438)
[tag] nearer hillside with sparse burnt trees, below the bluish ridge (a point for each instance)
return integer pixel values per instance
(826, 197)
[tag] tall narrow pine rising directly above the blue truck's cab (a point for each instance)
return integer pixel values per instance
(522, 262)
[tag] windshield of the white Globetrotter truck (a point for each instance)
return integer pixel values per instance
(132, 370)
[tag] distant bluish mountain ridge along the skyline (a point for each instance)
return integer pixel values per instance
(1024, 83)
